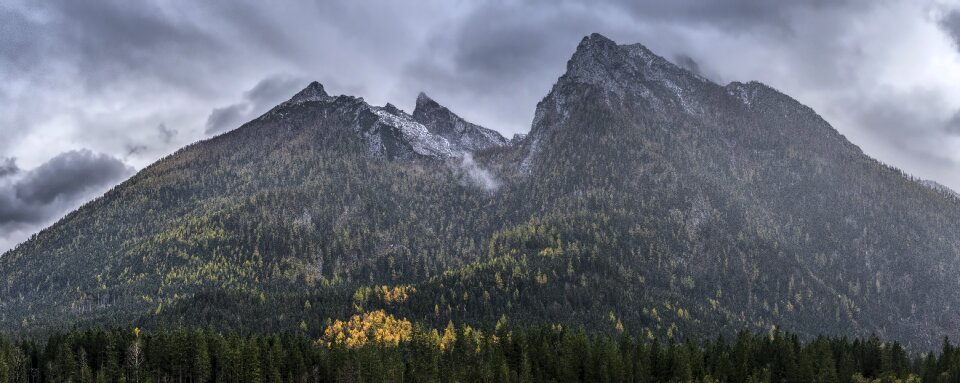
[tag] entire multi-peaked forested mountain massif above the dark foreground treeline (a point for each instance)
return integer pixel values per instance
(644, 199)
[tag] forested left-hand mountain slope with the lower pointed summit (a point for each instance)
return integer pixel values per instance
(319, 191)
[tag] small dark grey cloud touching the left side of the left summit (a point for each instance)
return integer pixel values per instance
(267, 93)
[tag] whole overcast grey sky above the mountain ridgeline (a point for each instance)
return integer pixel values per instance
(91, 91)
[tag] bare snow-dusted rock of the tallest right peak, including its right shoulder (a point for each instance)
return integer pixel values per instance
(632, 79)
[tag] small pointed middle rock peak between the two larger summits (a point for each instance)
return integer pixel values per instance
(465, 135)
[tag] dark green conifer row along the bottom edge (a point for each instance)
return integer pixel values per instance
(545, 354)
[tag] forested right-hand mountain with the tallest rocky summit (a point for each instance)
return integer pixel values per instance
(767, 209)
